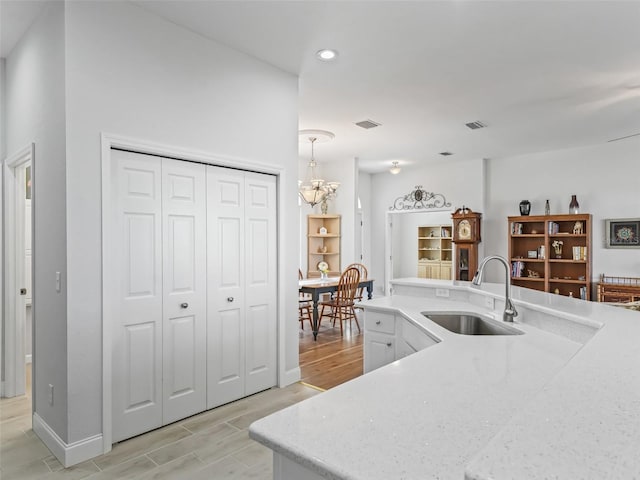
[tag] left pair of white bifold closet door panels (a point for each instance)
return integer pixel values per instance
(159, 311)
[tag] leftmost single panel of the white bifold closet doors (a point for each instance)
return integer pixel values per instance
(137, 293)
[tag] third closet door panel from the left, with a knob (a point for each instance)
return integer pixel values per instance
(225, 274)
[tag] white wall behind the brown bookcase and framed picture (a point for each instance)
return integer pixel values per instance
(605, 178)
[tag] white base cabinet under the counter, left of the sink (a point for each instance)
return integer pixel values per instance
(389, 337)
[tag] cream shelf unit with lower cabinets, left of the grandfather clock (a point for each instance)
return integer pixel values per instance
(435, 251)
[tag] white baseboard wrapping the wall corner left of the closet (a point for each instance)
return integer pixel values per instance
(68, 454)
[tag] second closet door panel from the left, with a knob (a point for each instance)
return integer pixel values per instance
(184, 285)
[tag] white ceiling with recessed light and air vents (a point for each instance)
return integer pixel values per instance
(540, 75)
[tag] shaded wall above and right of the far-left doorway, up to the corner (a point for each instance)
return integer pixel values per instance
(36, 113)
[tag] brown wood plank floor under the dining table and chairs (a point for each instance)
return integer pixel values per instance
(332, 359)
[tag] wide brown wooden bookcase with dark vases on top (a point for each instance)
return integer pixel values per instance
(536, 265)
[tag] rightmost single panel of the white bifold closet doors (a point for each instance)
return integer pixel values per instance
(260, 282)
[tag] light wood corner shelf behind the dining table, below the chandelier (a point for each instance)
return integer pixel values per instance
(323, 247)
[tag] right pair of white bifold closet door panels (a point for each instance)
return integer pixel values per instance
(242, 287)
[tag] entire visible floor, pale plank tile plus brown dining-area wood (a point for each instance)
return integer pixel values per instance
(212, 445)
